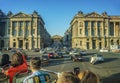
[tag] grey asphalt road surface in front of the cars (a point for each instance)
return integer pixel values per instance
(109, 68)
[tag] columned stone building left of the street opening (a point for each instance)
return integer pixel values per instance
(25, 31)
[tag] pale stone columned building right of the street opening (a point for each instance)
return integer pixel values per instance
(95, 31)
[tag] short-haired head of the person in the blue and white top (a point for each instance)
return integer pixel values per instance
(35, 63)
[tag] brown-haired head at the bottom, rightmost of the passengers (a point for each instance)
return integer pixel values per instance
(88, 77)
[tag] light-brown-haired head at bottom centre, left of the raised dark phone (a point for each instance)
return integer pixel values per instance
(68, 77)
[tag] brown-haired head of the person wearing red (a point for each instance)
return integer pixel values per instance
(17, 59)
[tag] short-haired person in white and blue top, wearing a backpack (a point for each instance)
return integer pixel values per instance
(35, 65)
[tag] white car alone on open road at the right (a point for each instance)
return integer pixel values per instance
(96, 58)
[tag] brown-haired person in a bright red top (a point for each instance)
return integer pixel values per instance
(17, 64)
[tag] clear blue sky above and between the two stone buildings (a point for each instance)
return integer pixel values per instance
(57, 14)
